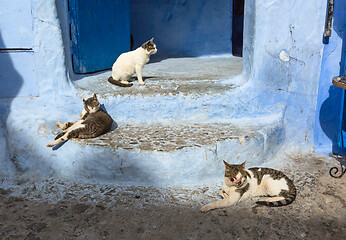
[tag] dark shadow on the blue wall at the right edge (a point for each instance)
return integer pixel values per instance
(330, 111)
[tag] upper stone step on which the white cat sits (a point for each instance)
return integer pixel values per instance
(175, 76)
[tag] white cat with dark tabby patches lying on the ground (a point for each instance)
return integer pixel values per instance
(240, 184)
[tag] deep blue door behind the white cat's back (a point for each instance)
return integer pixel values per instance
(100, 32)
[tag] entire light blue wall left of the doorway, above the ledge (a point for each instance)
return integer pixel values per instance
(39, 68)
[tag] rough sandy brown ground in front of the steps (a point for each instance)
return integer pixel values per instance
(58, 209)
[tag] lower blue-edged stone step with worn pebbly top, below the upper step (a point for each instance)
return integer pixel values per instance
(152, 154)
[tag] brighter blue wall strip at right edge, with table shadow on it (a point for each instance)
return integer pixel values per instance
(330, 97)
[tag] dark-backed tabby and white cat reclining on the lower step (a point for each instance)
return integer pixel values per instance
(92, 123)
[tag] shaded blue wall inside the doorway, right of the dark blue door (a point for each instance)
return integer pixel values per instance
(183, 27)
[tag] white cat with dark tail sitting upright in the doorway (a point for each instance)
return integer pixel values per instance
(130, 63)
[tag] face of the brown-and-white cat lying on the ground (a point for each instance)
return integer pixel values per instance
(235, 175)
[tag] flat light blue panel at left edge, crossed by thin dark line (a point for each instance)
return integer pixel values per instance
(17, 54)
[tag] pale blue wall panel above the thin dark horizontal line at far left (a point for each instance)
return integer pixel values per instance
(16, 24)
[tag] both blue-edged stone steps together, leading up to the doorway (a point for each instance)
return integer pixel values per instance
(161, 136)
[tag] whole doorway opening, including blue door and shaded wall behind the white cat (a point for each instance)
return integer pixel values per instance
(101, 30)
